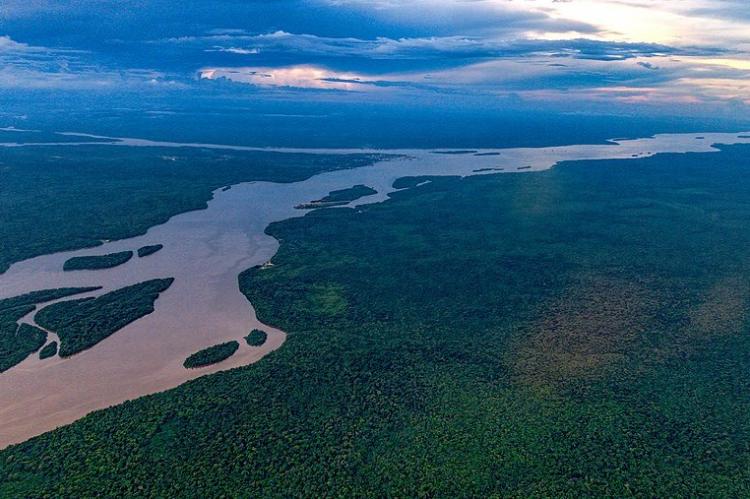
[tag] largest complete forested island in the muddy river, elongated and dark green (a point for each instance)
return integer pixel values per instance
(81, 324)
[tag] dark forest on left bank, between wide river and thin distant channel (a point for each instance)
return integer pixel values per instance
(73, 196)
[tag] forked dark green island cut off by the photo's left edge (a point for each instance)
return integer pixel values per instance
(18, 342)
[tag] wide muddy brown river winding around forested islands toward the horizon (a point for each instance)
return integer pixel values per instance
(205, 251)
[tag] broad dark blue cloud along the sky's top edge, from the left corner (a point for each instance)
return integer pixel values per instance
(83, 22)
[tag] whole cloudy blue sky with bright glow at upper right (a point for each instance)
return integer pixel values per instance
(682, 57)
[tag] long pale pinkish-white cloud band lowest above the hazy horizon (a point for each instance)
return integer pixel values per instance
(661, 78)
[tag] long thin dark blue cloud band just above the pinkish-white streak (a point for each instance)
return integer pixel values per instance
(383, 55)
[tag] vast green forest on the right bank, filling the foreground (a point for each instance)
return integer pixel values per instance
(579, 332)
